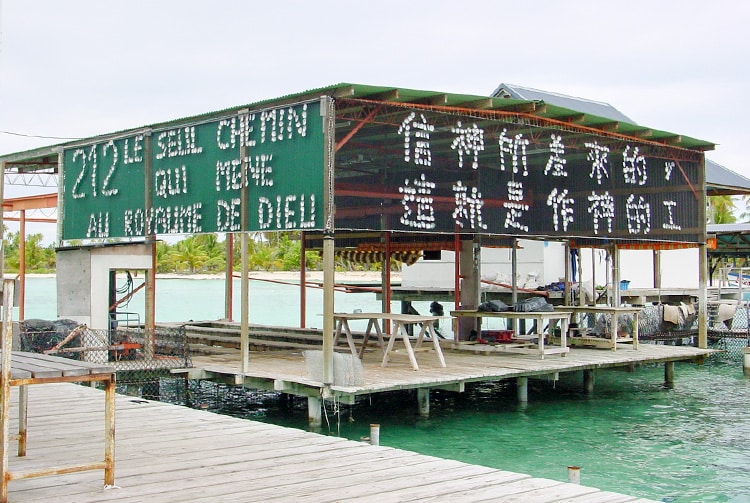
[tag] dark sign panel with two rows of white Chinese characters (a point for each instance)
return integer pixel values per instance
(506, 177)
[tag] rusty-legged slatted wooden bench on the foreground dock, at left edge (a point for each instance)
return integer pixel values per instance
(23, 369)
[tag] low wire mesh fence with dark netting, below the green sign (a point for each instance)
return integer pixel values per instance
(138, 354)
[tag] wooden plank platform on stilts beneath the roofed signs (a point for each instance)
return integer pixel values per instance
(285, 371)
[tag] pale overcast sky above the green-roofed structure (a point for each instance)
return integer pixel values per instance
(80, 68)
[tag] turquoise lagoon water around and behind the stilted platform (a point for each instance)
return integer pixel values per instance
(634, 436)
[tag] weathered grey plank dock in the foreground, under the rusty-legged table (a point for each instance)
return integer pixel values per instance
(168, 453)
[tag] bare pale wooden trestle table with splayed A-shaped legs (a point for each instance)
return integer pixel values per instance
(400, 322)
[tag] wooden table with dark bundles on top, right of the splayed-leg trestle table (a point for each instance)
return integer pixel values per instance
(523, 343)
